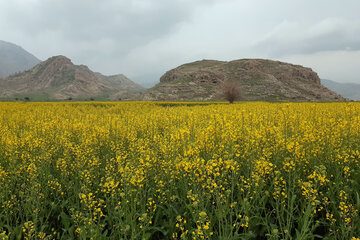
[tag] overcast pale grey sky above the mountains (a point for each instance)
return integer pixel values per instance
(145, 38)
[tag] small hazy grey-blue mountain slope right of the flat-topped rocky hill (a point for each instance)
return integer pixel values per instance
(348, 90)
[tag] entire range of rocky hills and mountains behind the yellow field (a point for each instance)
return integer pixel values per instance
(23, 76)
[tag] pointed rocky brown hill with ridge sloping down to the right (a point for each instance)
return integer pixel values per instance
(59, 78)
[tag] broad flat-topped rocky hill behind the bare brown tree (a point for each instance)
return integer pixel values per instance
(259, 79)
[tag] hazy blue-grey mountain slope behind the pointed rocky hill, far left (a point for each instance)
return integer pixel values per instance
(14, 59)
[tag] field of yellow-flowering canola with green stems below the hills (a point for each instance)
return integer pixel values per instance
(146, 170)
